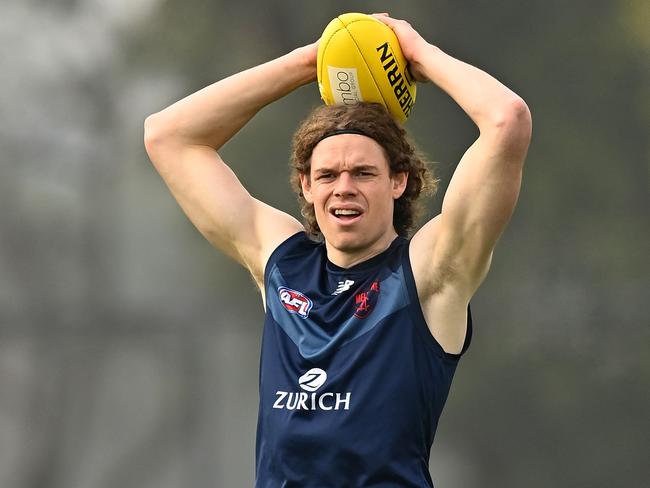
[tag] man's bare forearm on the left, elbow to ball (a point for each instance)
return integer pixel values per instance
(214, 114)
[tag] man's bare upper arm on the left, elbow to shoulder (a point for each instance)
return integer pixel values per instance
(221, 208)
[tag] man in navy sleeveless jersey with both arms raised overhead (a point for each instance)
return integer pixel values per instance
(364, 330)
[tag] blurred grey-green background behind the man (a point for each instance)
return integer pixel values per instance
(129, 347)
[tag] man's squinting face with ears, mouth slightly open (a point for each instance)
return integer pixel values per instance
(353, 192)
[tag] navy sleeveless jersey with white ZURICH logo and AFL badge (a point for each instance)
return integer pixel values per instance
(352, 382)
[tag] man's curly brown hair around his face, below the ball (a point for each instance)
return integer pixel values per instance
(374, 121)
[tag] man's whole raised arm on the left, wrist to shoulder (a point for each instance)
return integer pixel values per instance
(182, 142)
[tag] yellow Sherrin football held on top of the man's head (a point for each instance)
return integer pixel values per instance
(360, 59)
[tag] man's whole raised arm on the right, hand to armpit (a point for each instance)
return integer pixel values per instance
(451, 254)
